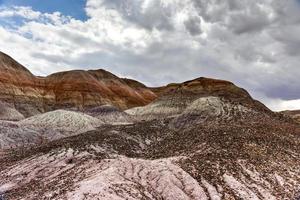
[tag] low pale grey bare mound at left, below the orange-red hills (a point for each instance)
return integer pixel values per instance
(45, 127)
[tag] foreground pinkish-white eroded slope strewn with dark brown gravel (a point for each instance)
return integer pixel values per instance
(153, 160)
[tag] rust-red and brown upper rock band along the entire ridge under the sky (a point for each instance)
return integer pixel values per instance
(84, 89)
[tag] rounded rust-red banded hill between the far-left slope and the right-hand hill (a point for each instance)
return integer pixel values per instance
(95, 87)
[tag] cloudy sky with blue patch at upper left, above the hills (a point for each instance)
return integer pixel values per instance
(254, 44)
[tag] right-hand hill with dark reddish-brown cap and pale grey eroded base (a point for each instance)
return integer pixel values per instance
(199, 95)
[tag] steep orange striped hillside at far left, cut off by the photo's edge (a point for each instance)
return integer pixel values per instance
(19, 87)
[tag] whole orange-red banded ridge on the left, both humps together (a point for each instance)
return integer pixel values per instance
(32, 95)
